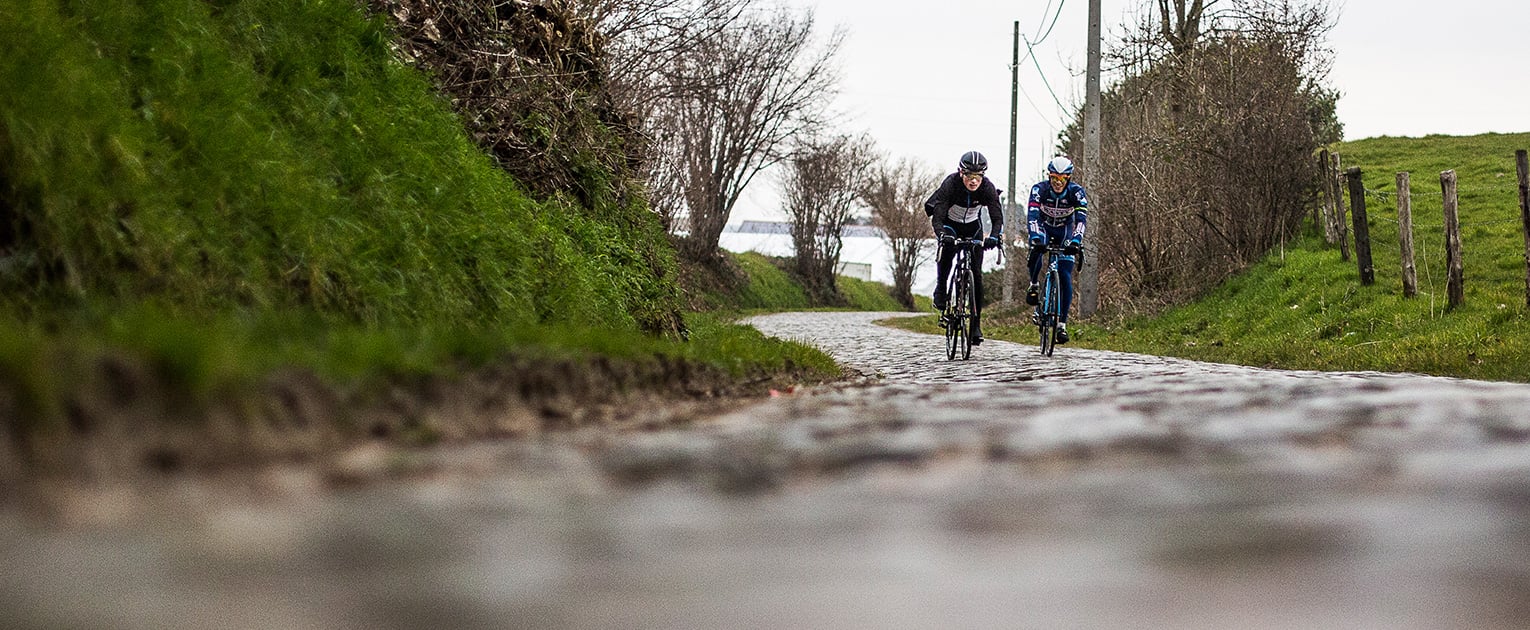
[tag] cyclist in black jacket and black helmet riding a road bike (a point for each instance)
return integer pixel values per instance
(955, 213)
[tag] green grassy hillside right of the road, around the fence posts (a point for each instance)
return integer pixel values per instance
(1304, 307)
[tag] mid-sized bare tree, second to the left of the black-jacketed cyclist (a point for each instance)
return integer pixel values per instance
(821, 192)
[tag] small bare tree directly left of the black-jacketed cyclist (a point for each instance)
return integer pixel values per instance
(896, 195)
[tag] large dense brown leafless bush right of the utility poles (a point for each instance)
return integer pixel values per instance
(1208, 141)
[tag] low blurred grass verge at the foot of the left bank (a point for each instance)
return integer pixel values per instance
(187, 371)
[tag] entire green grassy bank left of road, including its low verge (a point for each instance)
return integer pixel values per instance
(221, 190)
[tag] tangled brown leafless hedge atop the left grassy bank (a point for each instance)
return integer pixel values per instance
(515, 70)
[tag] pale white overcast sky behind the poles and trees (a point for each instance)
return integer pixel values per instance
(931, 80)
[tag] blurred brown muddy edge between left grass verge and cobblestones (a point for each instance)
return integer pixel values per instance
(128, 432)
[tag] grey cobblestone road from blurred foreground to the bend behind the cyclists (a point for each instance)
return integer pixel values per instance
(1089, 490)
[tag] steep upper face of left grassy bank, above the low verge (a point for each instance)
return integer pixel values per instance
(267, 155)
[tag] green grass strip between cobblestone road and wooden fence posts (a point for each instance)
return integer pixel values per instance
(1310, 313)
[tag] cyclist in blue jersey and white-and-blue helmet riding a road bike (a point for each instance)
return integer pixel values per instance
(1058, 213)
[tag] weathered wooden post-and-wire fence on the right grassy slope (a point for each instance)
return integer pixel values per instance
(1332, 212)
